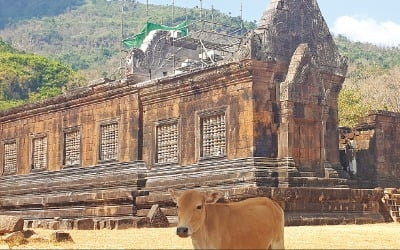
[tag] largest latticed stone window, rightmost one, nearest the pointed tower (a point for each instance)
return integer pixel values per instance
(213, 134)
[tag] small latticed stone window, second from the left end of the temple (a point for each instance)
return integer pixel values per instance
(39, 152)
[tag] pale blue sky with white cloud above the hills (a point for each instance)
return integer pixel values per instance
(371, 21)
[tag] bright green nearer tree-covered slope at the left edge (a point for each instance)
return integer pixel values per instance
(27, 77)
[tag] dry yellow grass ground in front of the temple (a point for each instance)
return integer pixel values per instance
(376, 236)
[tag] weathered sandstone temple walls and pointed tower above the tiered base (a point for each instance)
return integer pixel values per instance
(276, 98)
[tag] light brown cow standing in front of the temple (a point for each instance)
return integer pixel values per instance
(255, 223)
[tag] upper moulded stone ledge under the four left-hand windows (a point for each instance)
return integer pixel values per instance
(90, 178)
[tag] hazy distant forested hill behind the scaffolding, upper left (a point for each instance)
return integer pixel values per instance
(87, 34)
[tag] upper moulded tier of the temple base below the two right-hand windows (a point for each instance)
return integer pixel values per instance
(256, 171)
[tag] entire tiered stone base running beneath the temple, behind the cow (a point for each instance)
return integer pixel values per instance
(120, 195)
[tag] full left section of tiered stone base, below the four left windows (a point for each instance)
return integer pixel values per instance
(105, 190)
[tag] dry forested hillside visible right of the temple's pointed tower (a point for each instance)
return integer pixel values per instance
(373, 80)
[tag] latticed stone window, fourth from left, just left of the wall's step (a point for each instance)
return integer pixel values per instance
(109, 142)
